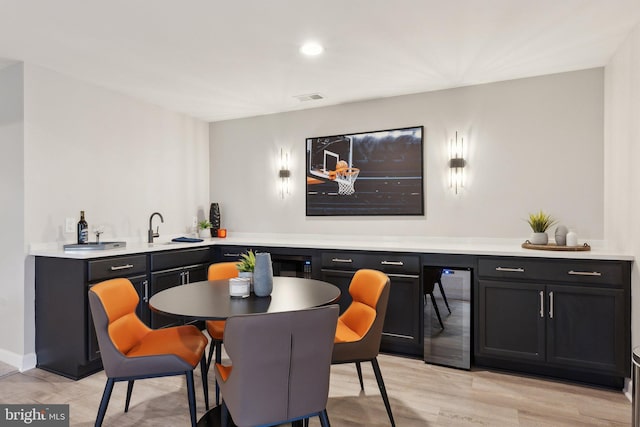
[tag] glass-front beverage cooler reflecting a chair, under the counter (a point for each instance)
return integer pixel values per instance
(447, 316)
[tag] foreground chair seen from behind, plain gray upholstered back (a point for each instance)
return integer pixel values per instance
(280, 366)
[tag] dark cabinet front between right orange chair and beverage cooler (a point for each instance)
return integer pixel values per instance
(402, 322)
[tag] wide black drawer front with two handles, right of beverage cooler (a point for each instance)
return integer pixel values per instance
(571, 271)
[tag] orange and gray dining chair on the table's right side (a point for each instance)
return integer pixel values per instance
(359, 329)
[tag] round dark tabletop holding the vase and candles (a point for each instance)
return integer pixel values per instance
(210, 300)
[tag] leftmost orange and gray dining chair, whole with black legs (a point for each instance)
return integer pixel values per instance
(130, 350)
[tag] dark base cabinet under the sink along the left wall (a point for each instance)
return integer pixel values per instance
(65, 337)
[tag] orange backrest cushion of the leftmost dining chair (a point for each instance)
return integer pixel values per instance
(120, 299)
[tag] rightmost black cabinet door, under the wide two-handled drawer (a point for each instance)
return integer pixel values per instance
(585, 328)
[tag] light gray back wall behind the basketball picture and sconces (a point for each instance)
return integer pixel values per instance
(533, 144)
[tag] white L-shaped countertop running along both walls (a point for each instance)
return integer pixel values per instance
(440, 245)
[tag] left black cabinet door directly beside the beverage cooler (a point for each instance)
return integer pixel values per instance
(511, 320)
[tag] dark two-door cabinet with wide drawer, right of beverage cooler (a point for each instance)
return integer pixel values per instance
(564, 318)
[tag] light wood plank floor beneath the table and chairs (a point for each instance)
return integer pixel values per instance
(420, 394)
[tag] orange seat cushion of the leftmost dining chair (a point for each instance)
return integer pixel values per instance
(186, 342)
